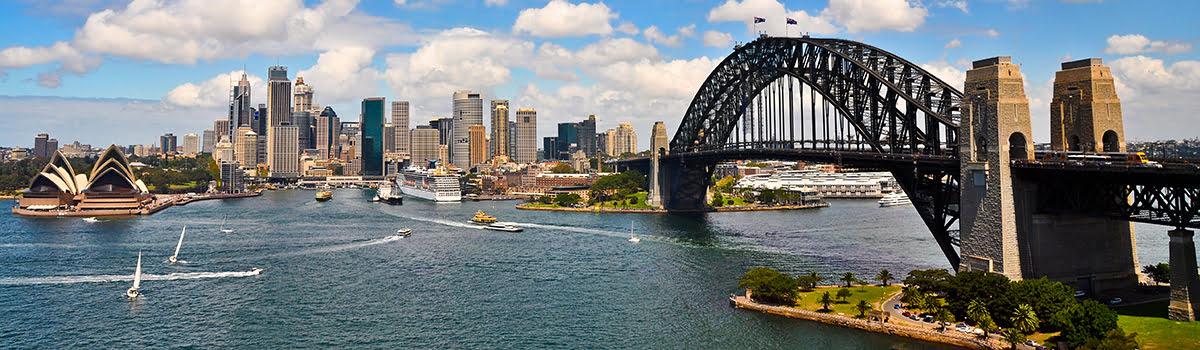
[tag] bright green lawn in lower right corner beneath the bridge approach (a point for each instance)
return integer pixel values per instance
(1155, 331)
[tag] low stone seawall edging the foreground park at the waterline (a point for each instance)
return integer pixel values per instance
(970, 342)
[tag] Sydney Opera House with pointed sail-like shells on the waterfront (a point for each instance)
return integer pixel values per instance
(110, 189)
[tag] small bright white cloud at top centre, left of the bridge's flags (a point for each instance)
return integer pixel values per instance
(560, 19)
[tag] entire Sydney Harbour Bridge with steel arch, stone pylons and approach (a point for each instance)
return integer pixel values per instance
(964, 158)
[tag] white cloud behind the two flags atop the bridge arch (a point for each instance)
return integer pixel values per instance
(776, 14)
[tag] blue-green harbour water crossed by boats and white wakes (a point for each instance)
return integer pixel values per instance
(334, 279)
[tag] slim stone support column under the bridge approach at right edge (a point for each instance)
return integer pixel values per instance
(1185, 282)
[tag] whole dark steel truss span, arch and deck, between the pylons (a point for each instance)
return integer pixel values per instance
(895, 108)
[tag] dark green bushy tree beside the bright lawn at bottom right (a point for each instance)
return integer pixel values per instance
(1085, 322)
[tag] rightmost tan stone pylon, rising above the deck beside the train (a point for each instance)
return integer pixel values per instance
(1085, 113)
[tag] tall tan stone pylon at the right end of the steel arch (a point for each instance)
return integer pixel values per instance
(995, 130)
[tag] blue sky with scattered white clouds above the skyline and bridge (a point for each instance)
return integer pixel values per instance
(103, 71)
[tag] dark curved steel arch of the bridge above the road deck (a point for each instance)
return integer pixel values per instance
(893, 105)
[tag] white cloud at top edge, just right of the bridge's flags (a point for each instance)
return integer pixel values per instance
(877, 15)
